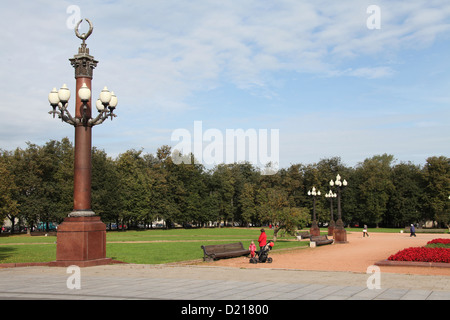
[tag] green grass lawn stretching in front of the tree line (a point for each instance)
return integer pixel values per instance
(149, 246)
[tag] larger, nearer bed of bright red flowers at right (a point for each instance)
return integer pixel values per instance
(422, 254)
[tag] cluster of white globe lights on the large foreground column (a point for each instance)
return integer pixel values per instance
(106, 104)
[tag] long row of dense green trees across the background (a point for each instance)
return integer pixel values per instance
(136, 189)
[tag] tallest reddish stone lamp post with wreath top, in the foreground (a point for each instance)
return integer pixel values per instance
(81, 238)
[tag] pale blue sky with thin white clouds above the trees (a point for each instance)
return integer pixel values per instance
(311, 69)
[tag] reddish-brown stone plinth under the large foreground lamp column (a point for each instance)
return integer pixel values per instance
(81, 241)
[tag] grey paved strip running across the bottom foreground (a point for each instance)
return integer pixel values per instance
(205, 283)
